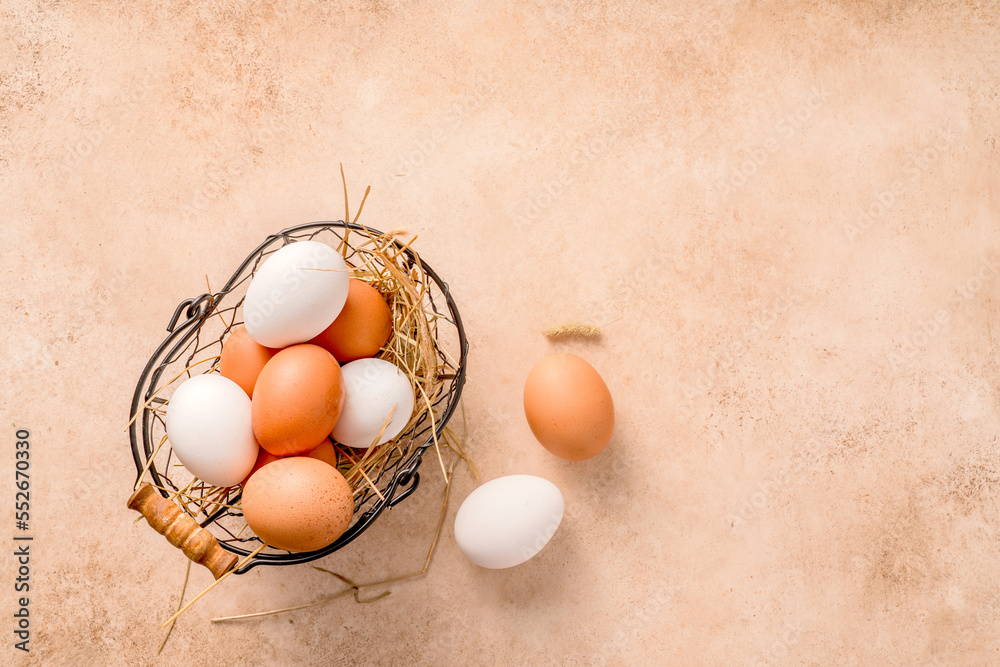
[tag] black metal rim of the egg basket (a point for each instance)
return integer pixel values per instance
(197, 309)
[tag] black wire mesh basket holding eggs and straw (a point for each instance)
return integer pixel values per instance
(196, 332)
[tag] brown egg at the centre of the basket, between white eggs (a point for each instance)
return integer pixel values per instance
(297, 400)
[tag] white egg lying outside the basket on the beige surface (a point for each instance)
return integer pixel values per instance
(506, 521)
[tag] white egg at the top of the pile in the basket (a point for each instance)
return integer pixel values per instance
(296, 293)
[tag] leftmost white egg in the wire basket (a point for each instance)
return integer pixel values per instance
(208, 423)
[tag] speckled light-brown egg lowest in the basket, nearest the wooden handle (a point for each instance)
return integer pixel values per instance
(298, 504)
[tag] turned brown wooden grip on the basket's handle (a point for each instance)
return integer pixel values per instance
(181, 530)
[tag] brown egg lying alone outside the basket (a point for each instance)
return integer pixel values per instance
(568, 406)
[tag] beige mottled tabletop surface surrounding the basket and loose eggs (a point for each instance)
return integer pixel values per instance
(791, 207)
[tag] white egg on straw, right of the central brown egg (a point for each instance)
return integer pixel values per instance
(372, 389)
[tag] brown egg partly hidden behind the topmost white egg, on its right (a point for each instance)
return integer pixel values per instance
(362, 328)
